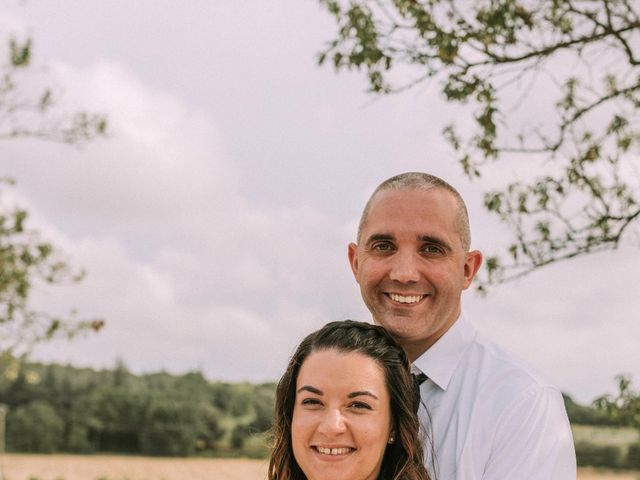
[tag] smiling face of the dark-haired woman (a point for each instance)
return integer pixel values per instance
(341, 418)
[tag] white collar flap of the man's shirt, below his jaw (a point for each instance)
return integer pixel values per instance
(442, 358)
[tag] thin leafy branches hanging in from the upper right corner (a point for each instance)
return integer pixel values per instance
(554, 84)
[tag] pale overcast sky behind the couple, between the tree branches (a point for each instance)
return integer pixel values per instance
(214, 221)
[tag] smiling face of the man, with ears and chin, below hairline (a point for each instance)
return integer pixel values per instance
(411, 266)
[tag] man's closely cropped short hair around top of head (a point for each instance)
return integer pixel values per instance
(423, 181)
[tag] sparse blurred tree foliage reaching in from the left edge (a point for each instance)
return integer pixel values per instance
(29, 110)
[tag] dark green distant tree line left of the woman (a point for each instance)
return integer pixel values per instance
(54, 408)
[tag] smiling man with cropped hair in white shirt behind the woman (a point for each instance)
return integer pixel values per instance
(489, 415)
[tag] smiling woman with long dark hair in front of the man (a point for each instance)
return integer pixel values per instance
(345, 409)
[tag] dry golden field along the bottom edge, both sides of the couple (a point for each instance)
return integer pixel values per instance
(107, 467)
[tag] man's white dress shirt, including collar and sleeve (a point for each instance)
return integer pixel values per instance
(490, 415)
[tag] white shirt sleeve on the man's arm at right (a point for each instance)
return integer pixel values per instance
(533, 440)
